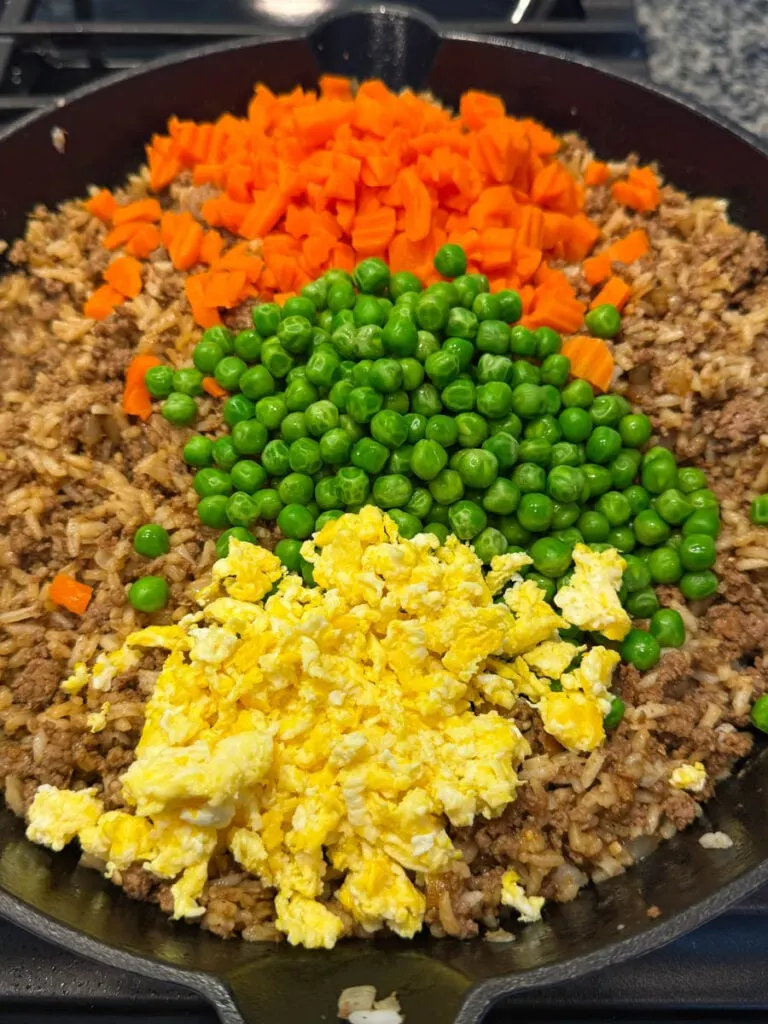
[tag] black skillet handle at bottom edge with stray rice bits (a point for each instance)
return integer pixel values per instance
(294, 987)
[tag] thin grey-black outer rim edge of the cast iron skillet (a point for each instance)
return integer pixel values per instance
(480, 997)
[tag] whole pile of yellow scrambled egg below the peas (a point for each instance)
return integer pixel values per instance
(343, 727)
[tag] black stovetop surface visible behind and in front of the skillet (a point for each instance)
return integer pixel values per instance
(49, 48)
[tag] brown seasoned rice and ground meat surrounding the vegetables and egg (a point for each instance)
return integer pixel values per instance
(77, 479)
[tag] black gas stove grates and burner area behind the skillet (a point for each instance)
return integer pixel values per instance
(50, 48)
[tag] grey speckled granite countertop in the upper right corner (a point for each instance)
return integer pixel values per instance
(715, 51)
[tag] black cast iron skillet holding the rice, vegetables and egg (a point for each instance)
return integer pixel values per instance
(439, 982)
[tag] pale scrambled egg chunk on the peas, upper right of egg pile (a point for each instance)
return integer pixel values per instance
(591, 601)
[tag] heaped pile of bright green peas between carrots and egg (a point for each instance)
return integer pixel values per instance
(372, 390)
